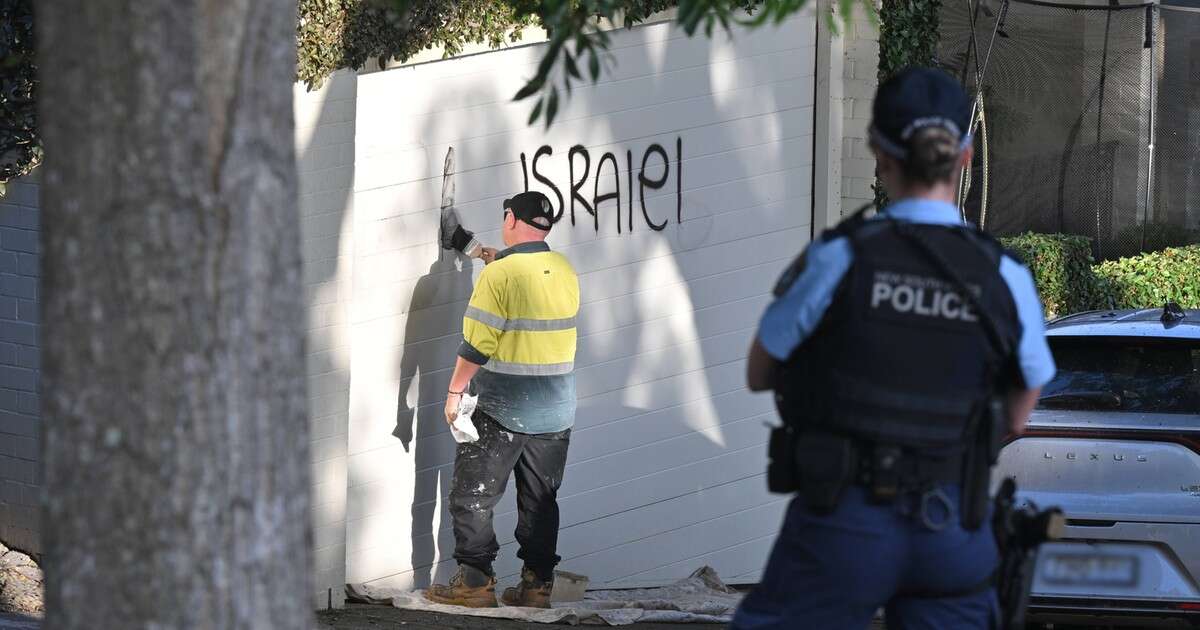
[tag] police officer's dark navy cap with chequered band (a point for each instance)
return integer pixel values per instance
(916, 99)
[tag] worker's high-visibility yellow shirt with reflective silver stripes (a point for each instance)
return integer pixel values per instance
(520, 327)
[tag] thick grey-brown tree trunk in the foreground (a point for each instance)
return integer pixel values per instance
(176, 445)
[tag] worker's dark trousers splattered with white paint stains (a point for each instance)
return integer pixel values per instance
(482, 471)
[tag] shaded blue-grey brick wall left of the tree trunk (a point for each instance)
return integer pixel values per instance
(21, 471)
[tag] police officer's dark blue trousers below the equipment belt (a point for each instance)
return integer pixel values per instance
(832, 573)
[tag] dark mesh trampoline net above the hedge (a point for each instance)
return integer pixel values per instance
(1067, 99)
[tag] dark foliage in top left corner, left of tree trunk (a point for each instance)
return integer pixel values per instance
(21, 151)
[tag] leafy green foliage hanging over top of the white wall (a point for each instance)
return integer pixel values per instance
(346, 34)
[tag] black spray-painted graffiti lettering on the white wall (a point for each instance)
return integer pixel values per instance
(578, 178)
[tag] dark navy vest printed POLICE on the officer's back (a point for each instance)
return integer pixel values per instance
(901, 357)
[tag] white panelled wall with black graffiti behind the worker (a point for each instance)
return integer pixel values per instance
(665, 472)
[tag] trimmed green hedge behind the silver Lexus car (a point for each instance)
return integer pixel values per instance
(1070, 281)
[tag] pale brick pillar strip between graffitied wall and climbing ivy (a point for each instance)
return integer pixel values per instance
(862, 63)
